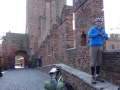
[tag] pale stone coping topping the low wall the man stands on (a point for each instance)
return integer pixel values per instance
(87, 78)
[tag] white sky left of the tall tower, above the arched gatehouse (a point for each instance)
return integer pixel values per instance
(12, 16)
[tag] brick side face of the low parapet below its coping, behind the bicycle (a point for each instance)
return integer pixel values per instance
(75, 81)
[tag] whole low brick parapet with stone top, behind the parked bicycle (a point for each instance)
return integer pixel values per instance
(78, 79)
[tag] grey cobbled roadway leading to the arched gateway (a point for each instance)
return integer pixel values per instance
(23, 79)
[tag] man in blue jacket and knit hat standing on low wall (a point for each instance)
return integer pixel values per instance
(96, 34)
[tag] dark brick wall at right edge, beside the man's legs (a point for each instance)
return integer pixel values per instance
(111, 65)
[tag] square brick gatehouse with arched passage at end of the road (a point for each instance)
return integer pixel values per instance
(14, 46)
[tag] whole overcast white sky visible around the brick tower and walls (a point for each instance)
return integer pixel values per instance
(13, 15)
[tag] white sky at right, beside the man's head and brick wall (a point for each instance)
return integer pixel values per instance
(112, 15)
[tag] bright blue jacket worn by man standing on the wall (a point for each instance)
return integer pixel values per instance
(95, 39)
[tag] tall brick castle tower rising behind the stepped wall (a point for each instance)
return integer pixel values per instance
(40, 16)
